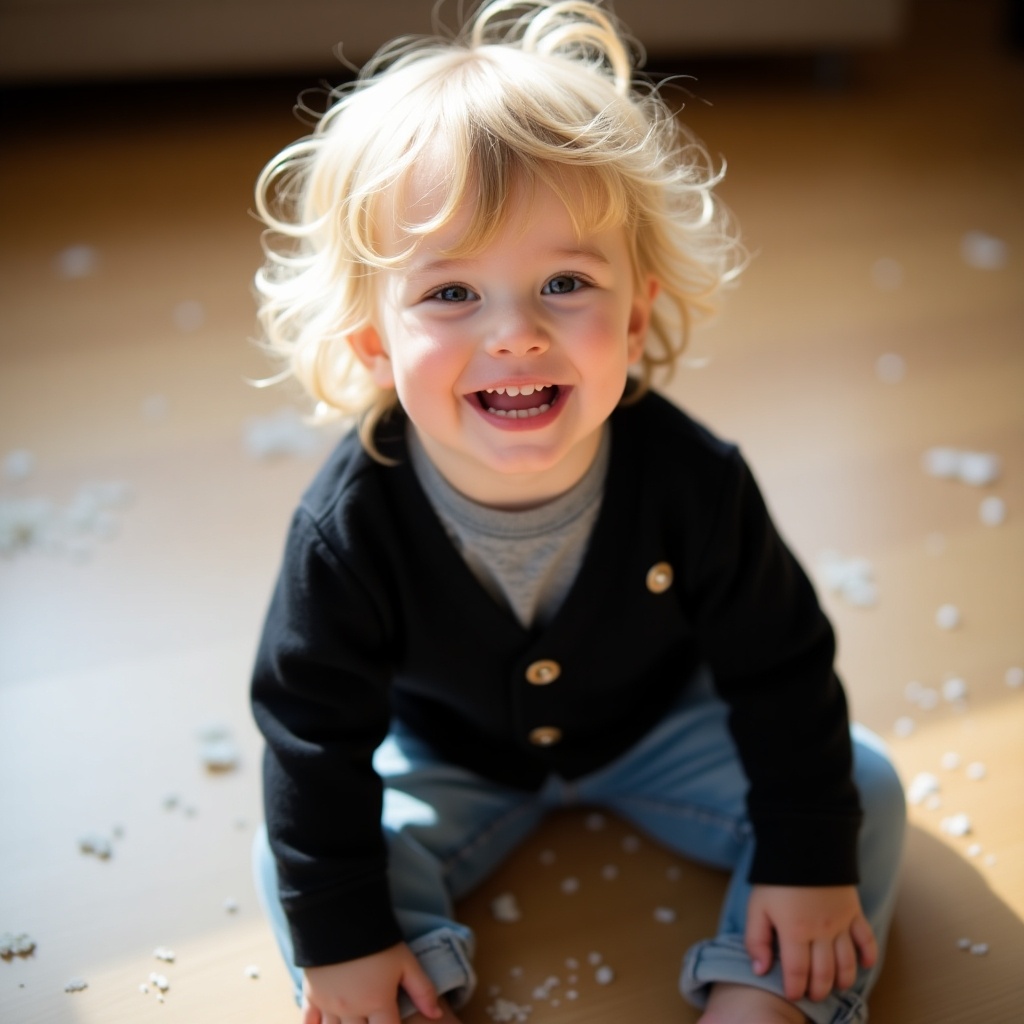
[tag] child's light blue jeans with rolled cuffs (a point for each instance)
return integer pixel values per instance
(682, 785)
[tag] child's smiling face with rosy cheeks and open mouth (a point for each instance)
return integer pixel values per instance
(509, 362)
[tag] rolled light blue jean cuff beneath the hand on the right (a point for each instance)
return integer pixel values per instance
(726, 960)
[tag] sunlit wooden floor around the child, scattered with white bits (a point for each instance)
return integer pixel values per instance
(124, 361)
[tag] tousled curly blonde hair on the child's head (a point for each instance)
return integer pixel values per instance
(526, 94)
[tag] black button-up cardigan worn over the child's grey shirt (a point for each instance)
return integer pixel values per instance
(375, 615)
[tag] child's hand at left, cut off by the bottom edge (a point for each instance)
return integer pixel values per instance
(366, 991)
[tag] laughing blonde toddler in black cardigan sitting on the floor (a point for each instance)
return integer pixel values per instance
(525, 581)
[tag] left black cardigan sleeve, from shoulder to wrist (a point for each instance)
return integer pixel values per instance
(320, 698)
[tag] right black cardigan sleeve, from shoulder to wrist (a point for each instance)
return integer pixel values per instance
(773, 651)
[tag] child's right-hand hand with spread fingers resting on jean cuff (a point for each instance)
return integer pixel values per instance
(823, 935)
